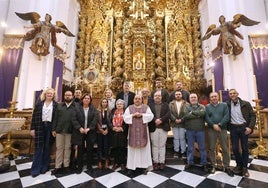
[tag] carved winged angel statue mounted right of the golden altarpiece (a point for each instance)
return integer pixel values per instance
(227, 40)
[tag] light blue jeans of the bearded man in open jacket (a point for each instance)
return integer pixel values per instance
(179, 139)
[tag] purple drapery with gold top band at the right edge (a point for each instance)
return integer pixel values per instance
(259, 49)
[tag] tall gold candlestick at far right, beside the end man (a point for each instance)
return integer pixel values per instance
(260, 150)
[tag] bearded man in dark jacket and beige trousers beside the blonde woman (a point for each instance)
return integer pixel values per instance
(62, 130)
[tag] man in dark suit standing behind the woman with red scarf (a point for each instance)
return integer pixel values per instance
(126, 95)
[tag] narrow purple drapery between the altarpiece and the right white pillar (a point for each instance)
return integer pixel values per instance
(218, 70)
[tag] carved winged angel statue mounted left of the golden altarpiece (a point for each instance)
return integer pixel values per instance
(43, 32)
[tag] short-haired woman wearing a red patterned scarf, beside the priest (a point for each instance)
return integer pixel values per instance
(119, 136)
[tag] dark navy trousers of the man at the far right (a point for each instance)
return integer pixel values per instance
(238, 133)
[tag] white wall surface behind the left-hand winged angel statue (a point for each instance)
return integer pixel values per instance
(37, 74)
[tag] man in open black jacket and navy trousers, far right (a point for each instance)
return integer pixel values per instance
(242, 123)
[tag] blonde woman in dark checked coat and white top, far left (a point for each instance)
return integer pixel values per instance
(41, 127)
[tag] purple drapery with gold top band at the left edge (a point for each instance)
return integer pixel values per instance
(9, 67)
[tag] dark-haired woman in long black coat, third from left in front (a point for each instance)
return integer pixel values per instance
(85, 122)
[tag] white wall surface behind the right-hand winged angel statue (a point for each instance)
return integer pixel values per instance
(238, 73)
